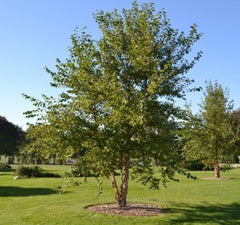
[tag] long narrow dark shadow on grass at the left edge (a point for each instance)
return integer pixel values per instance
(12, 191)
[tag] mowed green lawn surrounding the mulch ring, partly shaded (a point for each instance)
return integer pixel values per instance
(37, 201)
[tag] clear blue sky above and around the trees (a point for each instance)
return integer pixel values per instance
(34, 33)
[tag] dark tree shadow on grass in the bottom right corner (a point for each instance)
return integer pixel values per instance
(207, 214)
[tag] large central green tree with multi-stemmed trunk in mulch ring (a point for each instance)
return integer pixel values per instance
(118, 102)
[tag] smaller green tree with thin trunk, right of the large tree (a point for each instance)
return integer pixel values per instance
(211, 135)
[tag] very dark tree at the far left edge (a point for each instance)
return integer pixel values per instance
(11, 137)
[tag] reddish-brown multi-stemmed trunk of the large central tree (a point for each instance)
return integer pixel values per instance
(121, 194)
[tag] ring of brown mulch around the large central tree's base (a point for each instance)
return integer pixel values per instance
(132, 209)
